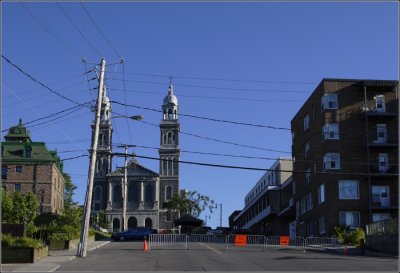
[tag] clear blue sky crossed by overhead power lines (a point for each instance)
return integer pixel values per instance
(246, 62)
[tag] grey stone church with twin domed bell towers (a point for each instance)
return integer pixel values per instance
(139, 201)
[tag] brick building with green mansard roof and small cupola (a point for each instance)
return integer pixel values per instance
(29, 167)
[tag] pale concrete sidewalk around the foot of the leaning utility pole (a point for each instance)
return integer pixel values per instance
(51, 262)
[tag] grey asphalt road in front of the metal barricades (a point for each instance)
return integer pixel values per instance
(129, 256)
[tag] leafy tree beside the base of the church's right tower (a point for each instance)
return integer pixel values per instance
(191, 202)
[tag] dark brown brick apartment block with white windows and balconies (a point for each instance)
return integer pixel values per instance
(345, 146)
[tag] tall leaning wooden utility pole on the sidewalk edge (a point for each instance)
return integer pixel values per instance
(82, 247)
